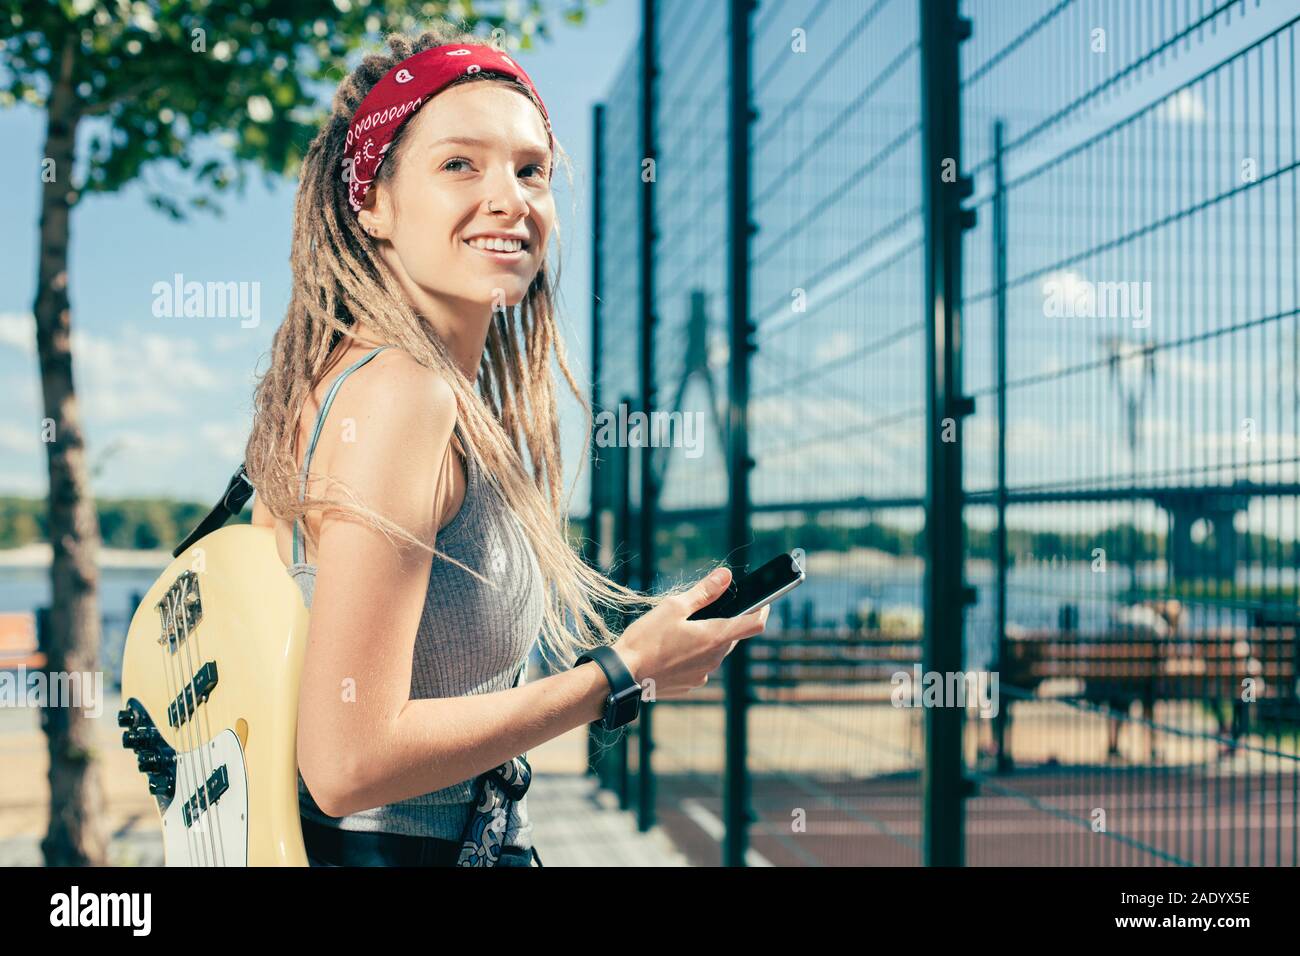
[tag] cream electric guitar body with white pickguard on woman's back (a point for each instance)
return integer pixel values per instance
(210, 702)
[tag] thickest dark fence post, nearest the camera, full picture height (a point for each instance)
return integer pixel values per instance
(947, 595)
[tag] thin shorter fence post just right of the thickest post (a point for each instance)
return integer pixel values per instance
(1000, 721)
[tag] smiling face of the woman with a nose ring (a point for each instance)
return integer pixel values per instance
(449, 191)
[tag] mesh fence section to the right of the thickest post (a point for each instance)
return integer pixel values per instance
(1132, 335)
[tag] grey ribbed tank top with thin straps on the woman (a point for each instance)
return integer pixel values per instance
(471, 639)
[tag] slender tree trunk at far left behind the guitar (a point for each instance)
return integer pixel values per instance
(76, 836)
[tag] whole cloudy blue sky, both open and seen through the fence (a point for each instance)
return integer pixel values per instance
(167, 401)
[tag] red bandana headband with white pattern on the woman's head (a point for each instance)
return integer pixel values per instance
(404, 90)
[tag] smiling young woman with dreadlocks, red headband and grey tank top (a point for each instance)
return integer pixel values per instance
(406, 383)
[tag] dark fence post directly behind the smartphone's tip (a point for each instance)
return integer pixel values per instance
(740, 230)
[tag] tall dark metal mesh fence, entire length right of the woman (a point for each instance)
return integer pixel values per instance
(994, 312)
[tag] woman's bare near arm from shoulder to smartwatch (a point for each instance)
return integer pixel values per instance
(362, 742)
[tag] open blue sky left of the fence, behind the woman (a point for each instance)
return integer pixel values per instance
(167, 404)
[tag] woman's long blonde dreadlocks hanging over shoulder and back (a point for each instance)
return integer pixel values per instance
(339, 278)
